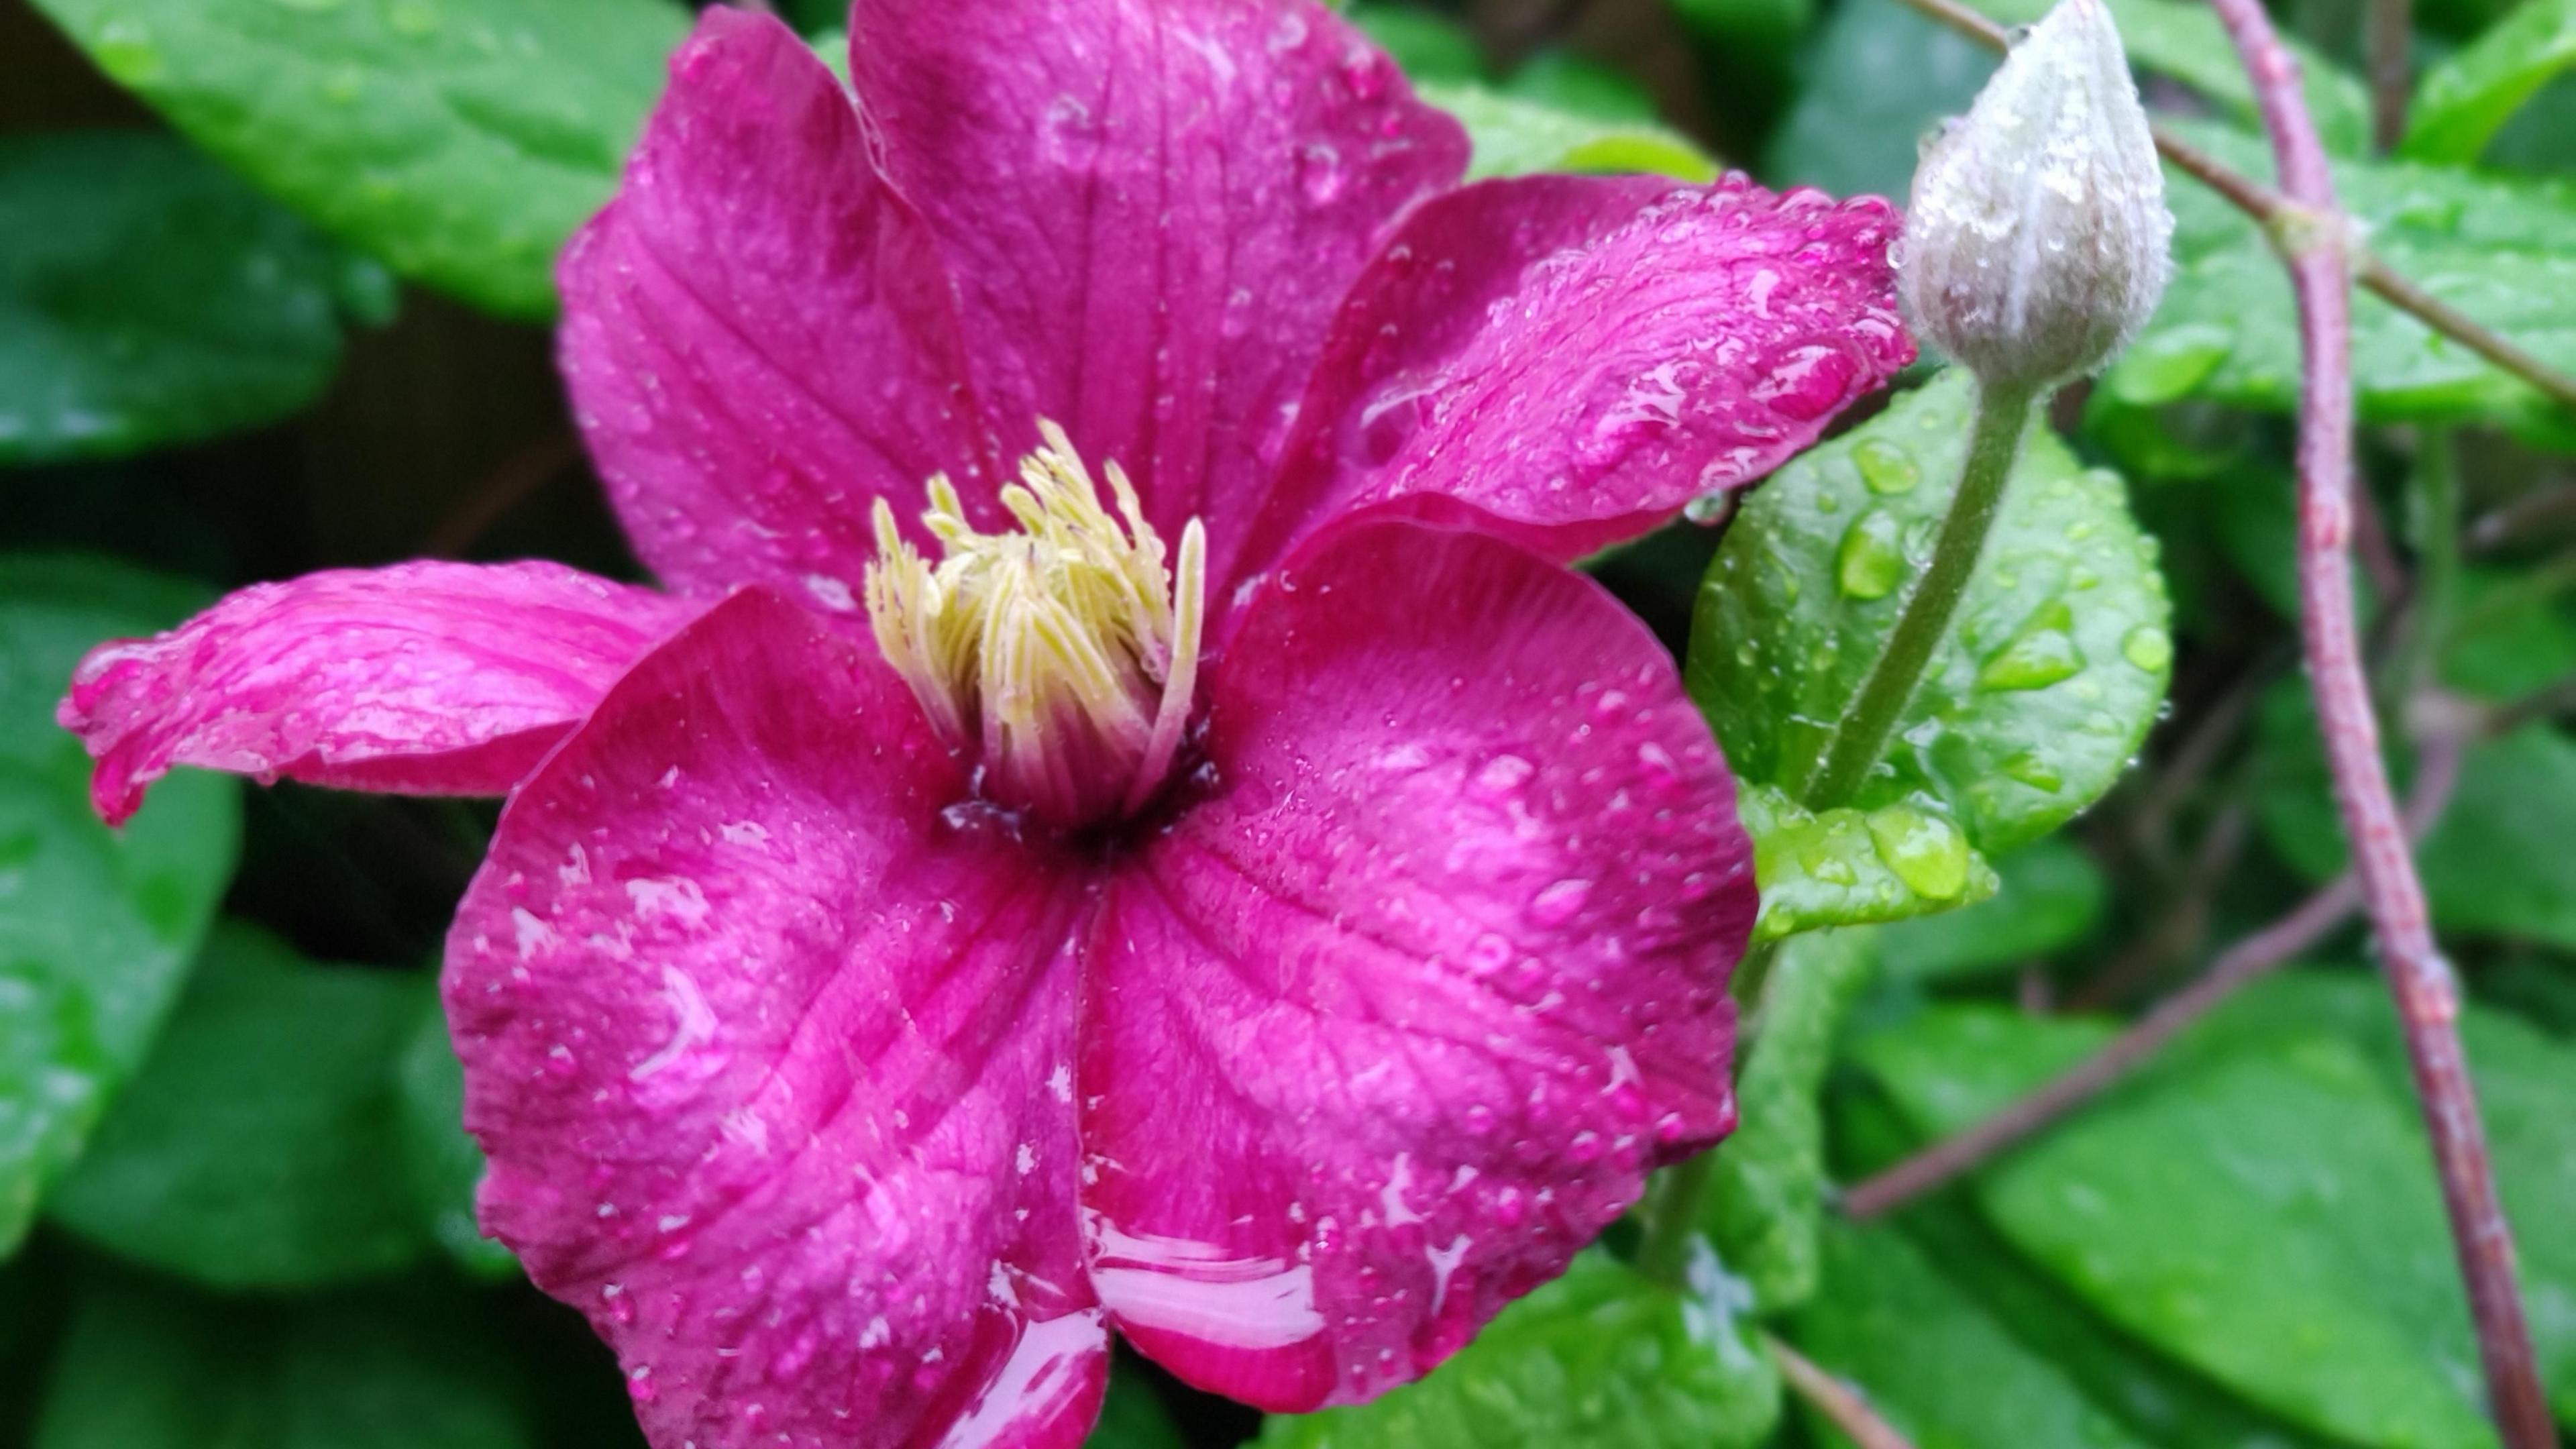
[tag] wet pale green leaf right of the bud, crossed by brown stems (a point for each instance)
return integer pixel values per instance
(2490, 246)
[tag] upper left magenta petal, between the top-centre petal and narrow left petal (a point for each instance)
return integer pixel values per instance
(756, 331)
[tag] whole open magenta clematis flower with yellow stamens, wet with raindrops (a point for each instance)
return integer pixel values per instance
(1122, 819)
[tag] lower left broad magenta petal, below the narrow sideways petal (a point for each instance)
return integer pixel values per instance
(772, 1058)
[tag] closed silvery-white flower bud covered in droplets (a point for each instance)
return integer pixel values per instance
(2039, 238)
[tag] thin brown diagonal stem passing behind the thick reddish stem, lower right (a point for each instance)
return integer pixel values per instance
(2237, 966)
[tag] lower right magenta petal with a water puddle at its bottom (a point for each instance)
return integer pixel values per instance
(1403, 1009)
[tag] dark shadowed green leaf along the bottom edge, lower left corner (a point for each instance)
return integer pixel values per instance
(151, 1368)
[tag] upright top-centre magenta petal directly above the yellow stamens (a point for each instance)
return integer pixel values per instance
(1153, 210)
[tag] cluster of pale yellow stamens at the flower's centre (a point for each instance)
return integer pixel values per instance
(1065, 648)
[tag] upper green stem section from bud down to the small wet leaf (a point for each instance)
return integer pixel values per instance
(1864, 736)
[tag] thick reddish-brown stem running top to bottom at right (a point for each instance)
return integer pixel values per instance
(2418, 976)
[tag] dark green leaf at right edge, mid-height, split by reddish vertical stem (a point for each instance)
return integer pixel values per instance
(2495, 865)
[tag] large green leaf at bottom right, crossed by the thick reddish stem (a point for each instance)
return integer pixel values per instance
(2260, 1203)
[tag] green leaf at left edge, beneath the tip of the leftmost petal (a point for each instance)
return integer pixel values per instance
(97, 927)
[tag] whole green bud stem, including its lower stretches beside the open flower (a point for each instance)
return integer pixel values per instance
(2003, 419)
